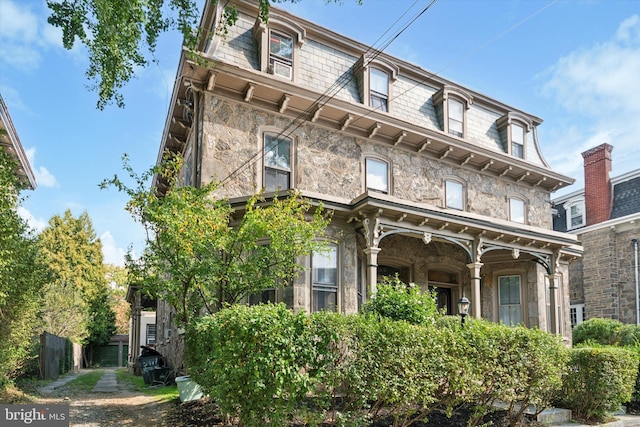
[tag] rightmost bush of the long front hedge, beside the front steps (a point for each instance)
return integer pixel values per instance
(518, 366)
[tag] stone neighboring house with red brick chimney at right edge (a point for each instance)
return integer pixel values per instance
(605, 215)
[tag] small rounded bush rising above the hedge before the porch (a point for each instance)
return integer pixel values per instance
(398, 301)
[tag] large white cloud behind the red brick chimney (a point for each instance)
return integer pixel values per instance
(598, 87)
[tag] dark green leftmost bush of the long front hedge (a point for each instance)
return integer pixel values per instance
(252, 361)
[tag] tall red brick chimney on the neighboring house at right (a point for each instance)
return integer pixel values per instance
(597, 184)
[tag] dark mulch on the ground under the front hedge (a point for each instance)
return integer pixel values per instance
(204, 412)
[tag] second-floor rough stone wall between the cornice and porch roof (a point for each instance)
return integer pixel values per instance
(330, 162)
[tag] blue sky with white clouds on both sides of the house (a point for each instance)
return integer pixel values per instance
(573, 63)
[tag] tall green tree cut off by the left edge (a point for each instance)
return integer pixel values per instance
(21, 276)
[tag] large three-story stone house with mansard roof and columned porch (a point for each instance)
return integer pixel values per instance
(425, 178)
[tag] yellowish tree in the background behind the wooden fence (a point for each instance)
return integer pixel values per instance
(76, 304)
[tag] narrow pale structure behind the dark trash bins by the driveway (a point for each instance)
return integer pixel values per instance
(142, 326)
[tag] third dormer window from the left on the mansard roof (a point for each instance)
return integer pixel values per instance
(451, 106)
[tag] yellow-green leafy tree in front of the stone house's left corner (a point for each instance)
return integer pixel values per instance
(201, 254)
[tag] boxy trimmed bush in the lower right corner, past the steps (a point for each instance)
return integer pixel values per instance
(598, 381)
